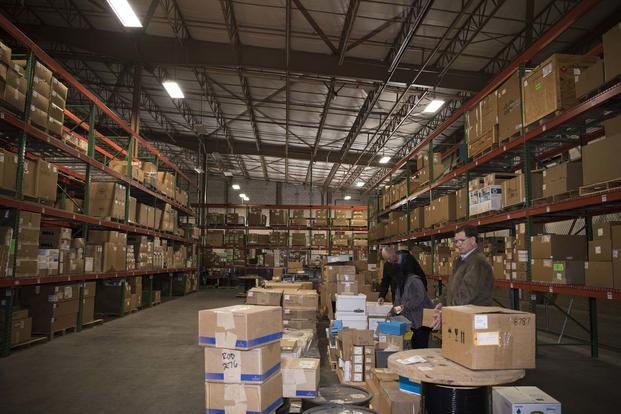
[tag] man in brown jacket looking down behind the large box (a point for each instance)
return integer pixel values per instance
(472, 280)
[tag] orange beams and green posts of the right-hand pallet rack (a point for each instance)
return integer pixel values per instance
(573, 127)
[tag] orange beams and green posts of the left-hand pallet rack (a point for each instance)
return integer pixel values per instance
(76, 171)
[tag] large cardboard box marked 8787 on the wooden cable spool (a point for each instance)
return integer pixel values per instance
(488, 337)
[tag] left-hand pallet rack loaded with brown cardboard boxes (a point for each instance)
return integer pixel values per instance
(83, 218)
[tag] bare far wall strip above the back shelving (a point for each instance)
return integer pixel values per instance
(263, 192)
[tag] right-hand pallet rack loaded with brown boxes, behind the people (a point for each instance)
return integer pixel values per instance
(539, 148)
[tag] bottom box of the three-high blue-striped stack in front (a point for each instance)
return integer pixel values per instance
(244, 398)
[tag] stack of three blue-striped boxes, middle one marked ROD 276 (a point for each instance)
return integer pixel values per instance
(242, 358)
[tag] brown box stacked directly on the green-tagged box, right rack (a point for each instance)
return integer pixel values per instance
(559, 246)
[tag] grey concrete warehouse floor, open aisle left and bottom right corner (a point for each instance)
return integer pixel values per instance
(148, 362)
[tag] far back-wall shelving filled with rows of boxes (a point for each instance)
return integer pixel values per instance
(277, 235)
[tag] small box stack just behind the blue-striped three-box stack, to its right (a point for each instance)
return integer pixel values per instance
(299, 309)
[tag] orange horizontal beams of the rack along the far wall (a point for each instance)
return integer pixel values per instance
(309, 228)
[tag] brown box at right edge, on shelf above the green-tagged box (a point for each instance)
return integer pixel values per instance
(599, 158)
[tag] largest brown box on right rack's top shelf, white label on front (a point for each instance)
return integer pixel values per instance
(550, 86)
